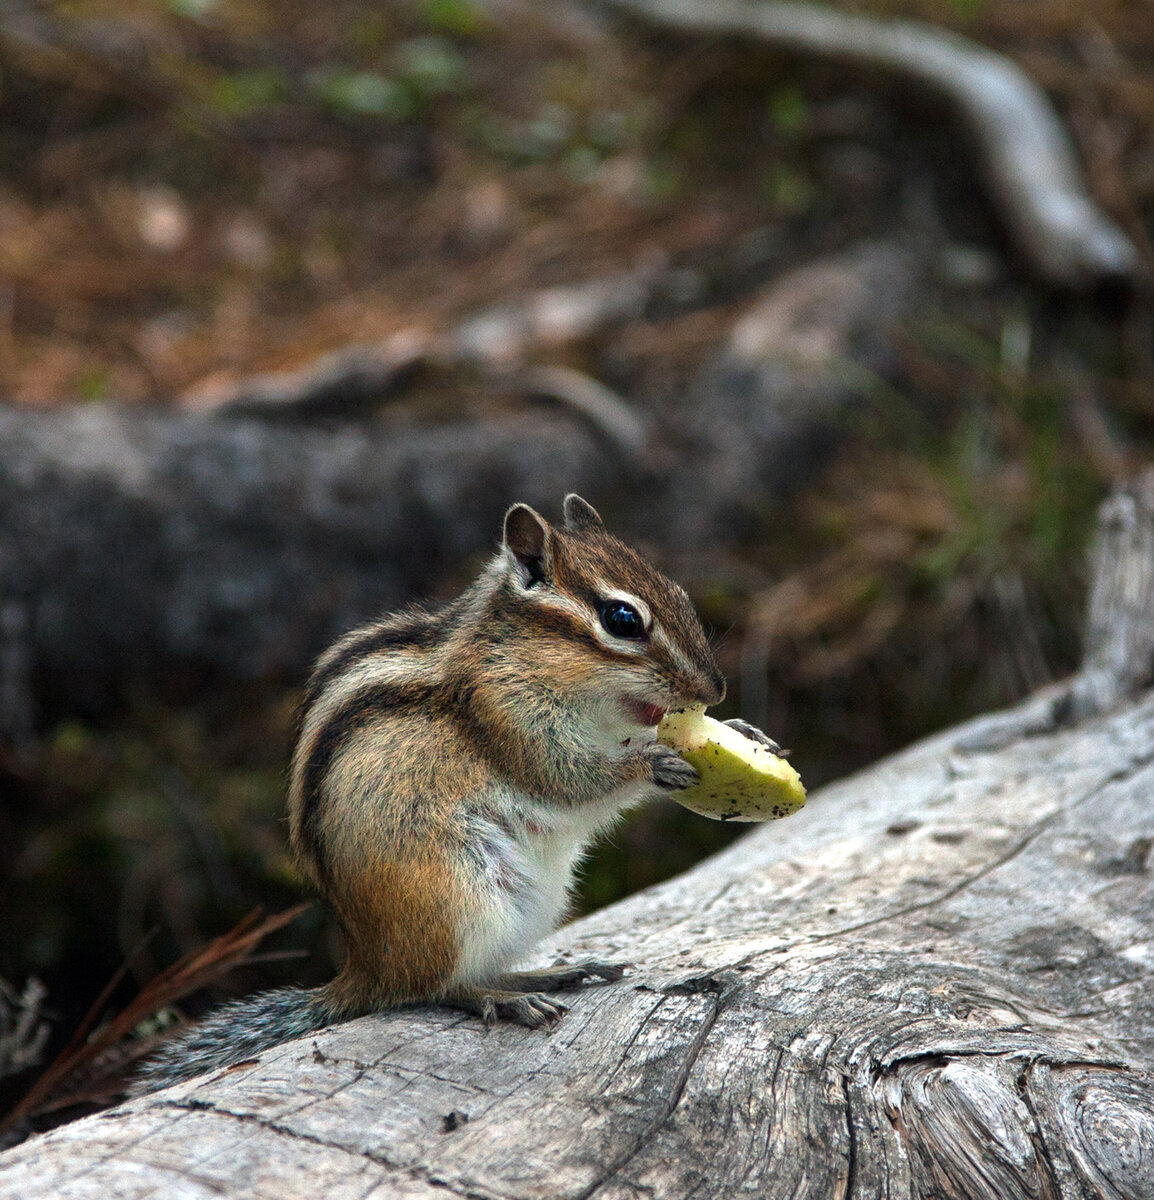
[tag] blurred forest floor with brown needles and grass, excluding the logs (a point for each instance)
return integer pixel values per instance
(197, 193)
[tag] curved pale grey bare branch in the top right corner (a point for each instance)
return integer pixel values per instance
(1027, 158)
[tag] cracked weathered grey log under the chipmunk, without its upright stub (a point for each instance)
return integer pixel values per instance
(933, 981)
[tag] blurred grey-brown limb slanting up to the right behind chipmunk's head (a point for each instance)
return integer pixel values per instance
(771, 405)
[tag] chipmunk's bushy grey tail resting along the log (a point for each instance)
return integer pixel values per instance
(239, 1031)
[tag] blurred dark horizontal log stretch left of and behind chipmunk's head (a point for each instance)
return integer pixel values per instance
(134, 543)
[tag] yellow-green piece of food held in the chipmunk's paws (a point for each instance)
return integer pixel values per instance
(742, 781)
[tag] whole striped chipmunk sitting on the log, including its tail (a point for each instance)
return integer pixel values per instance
(453, 766)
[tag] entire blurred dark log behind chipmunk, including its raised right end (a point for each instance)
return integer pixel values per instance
(136, 545)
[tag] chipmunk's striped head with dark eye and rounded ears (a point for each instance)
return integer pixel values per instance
(612, 627)
